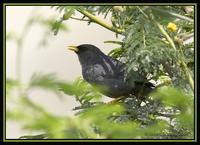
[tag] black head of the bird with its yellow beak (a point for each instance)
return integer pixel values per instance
(88, 54)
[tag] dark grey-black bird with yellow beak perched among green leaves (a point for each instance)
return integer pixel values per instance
(109, 73)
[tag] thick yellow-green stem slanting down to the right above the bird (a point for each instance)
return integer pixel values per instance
(100, 22)
